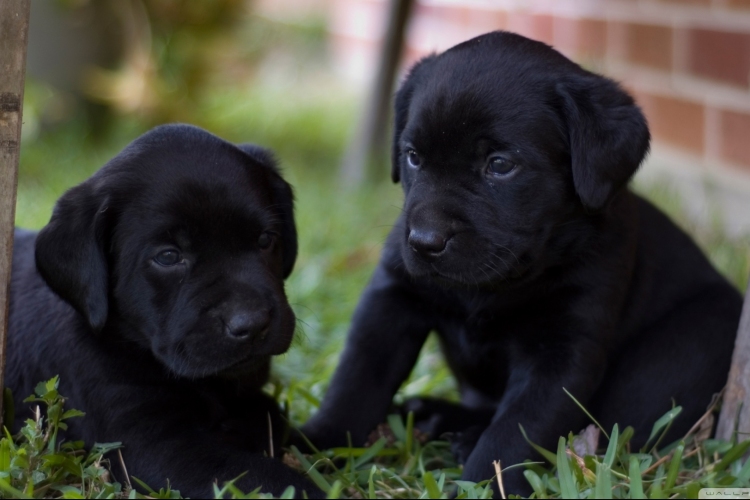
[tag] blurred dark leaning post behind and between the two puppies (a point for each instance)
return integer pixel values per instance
(368, 149)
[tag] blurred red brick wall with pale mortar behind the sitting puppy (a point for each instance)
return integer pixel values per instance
(687, 62)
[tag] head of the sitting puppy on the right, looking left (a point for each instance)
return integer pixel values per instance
(505, 150)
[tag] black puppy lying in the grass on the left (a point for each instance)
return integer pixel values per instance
(156, 292)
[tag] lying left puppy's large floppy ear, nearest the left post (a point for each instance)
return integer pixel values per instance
(70, 252)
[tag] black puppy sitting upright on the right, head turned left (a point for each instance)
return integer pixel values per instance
(521, 246)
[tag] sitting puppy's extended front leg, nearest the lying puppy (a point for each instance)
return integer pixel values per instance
(387, 333)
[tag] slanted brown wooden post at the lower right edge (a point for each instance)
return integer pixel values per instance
(735, 408)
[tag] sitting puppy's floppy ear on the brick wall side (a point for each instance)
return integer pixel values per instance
(608, 136)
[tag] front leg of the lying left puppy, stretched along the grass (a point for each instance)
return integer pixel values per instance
(168, 439)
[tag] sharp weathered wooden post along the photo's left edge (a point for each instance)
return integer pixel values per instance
(14, 31)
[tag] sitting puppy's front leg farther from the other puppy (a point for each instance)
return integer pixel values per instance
(535, 399)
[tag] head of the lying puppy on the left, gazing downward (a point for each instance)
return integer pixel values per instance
(180, 243)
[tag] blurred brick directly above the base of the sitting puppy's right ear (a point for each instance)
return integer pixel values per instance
(580, 37)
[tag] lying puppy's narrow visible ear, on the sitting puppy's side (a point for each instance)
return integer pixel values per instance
(283, 202)
